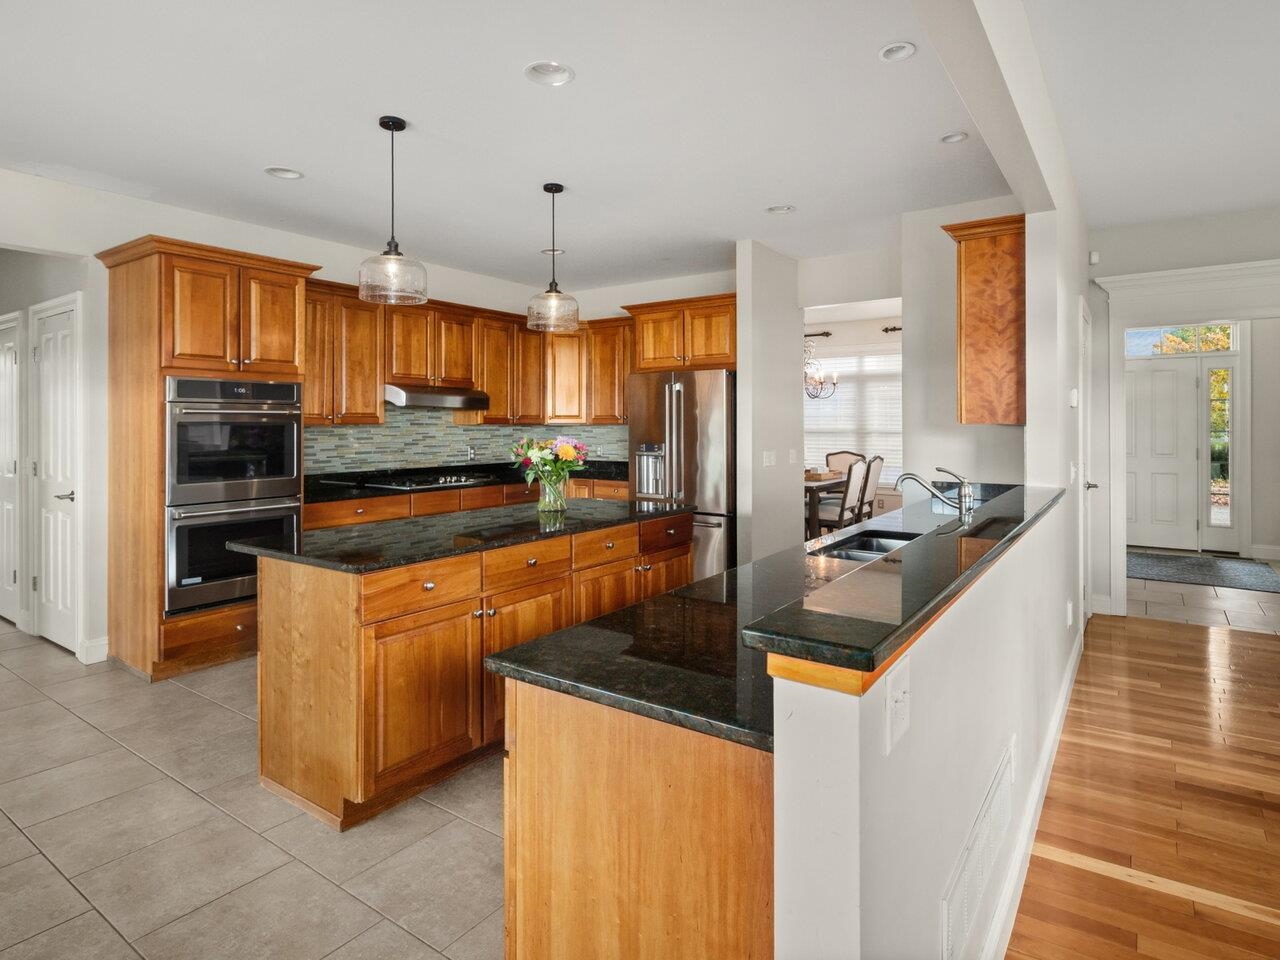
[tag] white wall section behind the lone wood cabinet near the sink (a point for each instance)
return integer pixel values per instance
(931, 435)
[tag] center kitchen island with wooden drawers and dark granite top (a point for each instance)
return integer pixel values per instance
(372, 637)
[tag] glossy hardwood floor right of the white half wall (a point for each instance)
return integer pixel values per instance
(1160, 835)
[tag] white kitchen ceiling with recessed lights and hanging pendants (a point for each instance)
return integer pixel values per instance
(687, 121)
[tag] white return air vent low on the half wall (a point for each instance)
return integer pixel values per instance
(972, 875)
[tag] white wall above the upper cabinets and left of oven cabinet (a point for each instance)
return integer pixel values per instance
(58, 218)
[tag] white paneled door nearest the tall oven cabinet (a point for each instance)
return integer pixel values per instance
(54, 451)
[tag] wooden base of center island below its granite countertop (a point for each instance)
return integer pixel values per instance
(372, 687)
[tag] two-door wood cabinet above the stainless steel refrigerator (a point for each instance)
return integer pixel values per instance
(679, 335)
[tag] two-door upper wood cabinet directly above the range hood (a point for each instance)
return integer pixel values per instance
(431, 346)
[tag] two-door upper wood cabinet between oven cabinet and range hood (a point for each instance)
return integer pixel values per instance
(345, 346)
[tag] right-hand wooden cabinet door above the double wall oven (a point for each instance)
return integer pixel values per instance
(273, 330)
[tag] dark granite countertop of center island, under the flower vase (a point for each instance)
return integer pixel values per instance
(363, 548)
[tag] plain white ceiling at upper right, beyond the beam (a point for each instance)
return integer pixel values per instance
(1167, 107)
